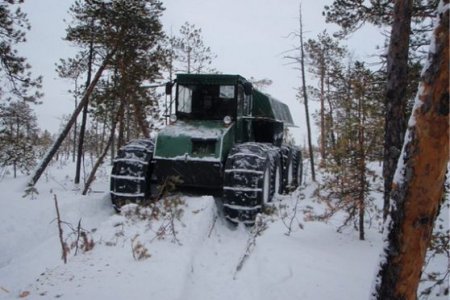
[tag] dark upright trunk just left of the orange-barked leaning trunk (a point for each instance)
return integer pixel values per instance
(395, 101)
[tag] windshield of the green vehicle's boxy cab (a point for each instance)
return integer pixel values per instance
(210, 102)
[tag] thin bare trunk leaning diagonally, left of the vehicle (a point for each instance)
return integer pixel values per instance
(48, 157)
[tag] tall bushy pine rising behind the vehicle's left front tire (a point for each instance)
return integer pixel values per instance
(134, 29)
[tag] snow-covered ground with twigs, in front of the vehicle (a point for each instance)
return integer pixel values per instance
(205, 258)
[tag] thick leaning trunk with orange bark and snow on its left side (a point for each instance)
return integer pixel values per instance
(418, 182)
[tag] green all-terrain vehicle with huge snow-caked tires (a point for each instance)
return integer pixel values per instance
(225, 136)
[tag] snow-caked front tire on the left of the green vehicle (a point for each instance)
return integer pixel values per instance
(131, 173)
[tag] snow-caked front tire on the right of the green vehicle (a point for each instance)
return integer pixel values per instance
(250, 180)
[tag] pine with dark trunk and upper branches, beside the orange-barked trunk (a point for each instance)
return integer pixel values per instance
(411, 23)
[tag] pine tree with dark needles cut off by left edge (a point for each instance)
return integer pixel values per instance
(17, 121)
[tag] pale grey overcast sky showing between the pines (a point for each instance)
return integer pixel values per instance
(249, 37)
